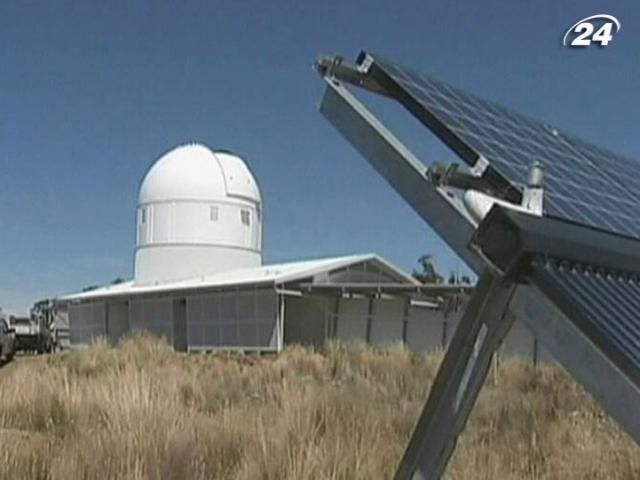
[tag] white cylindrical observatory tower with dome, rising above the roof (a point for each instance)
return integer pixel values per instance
(199, 213)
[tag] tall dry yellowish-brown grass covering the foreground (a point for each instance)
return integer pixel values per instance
(142, 411)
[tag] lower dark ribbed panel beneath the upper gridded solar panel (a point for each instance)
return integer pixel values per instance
(603, 304)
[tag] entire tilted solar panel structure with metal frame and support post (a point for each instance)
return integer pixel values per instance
(577, 268)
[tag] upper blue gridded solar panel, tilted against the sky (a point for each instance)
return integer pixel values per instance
(583, 183)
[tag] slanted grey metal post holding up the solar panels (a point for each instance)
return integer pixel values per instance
(458, 382)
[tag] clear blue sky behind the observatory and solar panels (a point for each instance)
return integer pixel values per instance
(91, 93)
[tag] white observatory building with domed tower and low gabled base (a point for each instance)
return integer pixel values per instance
(199, 280)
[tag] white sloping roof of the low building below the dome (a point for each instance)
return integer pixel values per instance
(269, 274)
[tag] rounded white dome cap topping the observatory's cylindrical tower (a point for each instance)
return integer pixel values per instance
(195, 172)
